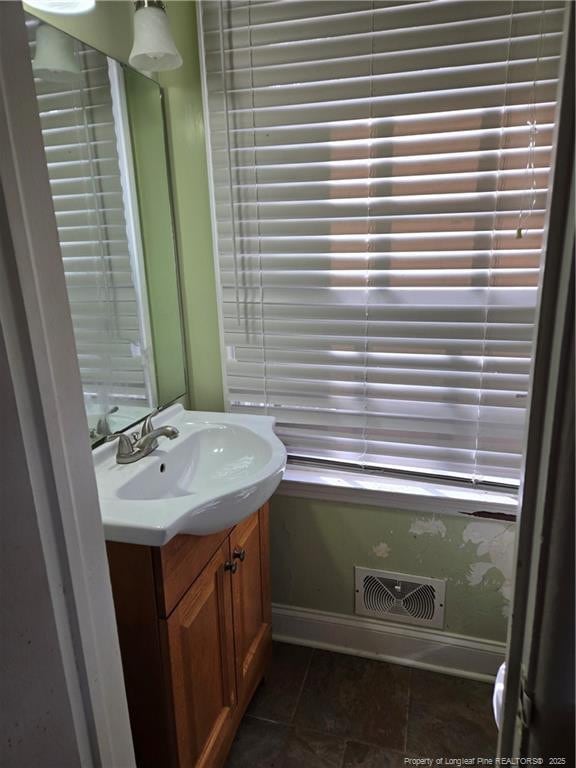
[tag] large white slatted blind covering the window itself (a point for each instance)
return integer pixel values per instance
(371, 165)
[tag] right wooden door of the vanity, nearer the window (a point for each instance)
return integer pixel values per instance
(251, 596)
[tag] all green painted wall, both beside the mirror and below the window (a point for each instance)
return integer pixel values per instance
(314, 544)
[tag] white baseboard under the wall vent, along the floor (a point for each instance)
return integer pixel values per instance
(411, 646)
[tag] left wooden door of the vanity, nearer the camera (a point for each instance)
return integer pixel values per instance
(200, 635)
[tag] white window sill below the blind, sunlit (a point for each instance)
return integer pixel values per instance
(397, 493)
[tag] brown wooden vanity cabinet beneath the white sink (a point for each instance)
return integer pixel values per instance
(194, 622)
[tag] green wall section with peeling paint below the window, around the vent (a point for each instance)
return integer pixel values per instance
(316, 544)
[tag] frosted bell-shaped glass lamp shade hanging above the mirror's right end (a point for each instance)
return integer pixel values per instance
(153, 49)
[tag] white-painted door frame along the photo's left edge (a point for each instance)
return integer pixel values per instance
(42, 364)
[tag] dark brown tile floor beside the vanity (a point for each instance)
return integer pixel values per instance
(318, 709)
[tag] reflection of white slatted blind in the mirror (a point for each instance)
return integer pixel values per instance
(88, 192)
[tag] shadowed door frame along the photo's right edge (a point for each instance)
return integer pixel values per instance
(528, 703)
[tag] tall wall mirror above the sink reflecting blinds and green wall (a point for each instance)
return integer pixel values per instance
(104, 137)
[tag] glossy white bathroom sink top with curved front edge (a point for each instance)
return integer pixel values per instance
(220, 469)
